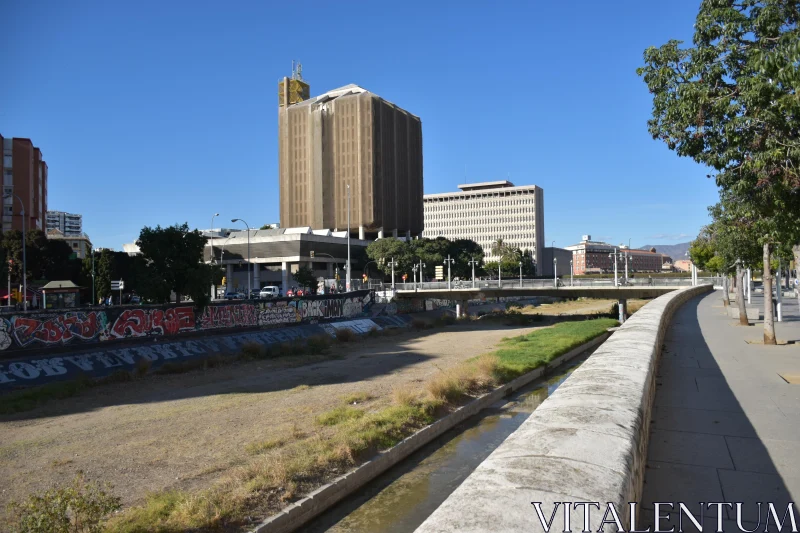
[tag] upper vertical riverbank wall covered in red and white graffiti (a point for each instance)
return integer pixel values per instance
(48, 329)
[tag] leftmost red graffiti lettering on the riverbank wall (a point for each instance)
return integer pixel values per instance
(58, 329)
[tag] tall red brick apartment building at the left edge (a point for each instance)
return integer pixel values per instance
(24, 175)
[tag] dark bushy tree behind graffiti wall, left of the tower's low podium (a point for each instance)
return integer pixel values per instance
(173, 261)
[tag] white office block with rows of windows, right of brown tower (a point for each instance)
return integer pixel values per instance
(488, 211)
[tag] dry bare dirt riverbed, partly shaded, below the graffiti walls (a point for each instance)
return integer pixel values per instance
(184, 431)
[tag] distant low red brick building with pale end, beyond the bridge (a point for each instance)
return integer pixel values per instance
(593, 257)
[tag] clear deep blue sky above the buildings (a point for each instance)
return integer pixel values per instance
(162, 112)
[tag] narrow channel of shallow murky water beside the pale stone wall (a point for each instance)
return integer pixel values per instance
(400, 499)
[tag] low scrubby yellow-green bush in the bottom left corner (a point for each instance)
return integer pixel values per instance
(81, 507)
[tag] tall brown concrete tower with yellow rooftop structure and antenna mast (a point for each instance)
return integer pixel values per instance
(348, 136)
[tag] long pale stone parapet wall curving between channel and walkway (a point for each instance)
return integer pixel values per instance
(585, 443)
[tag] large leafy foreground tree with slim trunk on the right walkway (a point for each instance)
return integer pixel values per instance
(730, 102)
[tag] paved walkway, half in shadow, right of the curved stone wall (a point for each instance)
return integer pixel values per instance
(726, 426)
